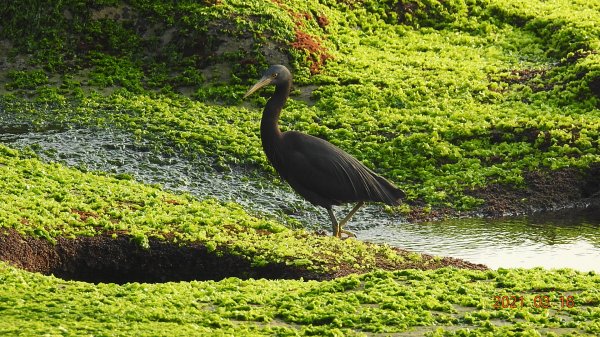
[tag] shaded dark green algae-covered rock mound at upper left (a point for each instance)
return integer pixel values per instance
(67, 35)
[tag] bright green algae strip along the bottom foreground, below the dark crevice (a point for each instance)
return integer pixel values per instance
(444, 302)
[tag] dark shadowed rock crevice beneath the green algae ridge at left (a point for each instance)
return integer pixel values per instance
(105, 259)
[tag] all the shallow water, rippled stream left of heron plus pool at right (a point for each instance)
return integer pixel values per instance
(565, 239)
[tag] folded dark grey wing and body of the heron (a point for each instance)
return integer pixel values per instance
(323, 173)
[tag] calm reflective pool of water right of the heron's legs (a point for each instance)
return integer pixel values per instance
(548, 240)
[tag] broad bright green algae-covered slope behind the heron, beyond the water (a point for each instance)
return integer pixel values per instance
(439, 96)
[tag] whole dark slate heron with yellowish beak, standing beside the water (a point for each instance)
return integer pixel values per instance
(319, 171)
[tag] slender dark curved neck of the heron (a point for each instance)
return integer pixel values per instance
(269, 128)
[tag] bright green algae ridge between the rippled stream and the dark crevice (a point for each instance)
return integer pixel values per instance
(47, 200)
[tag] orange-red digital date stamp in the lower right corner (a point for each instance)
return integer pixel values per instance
(537, 301)
